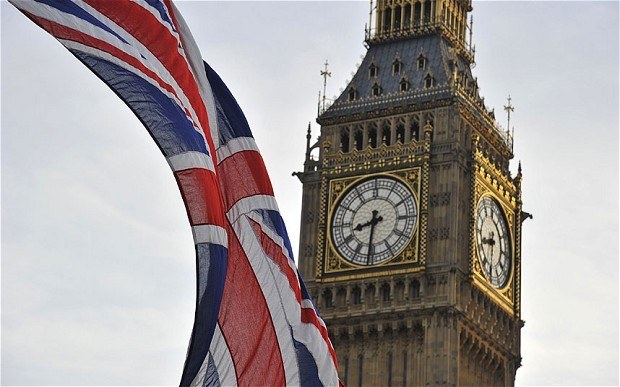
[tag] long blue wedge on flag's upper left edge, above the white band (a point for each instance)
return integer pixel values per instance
(167, 123)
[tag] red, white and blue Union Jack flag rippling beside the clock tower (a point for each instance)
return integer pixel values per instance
(255, 323)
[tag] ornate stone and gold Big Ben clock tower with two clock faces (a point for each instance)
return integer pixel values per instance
(411, 221)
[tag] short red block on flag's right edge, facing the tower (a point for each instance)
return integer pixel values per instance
(243, 174)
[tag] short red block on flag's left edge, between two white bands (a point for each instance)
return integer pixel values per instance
(200, 193)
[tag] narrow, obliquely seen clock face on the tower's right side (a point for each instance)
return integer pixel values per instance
(493, 242)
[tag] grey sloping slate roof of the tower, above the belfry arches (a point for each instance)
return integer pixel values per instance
(439, 57)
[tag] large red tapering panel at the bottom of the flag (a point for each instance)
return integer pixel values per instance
(246, 324)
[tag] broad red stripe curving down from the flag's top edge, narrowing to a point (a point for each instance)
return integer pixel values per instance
(158, 39)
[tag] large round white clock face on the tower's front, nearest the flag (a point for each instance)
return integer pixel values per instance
(374, 221)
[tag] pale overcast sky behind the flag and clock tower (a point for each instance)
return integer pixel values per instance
(98, 267)
